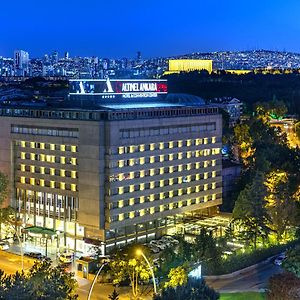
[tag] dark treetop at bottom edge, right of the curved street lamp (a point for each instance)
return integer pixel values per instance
(194, 289)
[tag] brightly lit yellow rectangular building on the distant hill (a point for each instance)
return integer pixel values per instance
(188, 65)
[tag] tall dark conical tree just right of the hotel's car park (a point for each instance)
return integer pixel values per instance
(250, 212)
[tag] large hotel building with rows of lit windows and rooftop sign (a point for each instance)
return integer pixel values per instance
(127, 168)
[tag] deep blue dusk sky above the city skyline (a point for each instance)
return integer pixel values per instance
(119, 28)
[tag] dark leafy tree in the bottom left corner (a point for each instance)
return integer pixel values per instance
(41, 282)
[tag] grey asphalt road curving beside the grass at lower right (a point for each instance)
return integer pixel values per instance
(254, 280)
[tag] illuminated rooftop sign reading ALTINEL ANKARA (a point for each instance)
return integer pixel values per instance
(118, 88)
